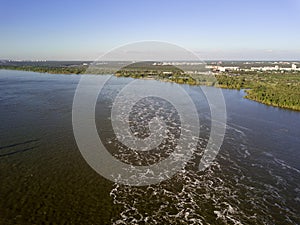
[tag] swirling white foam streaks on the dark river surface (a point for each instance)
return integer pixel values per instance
(227, 192)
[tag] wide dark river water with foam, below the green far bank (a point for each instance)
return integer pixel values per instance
(255, 178)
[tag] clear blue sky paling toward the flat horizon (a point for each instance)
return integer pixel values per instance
(214, 29)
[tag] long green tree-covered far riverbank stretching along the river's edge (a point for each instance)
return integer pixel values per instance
(273, 89)
